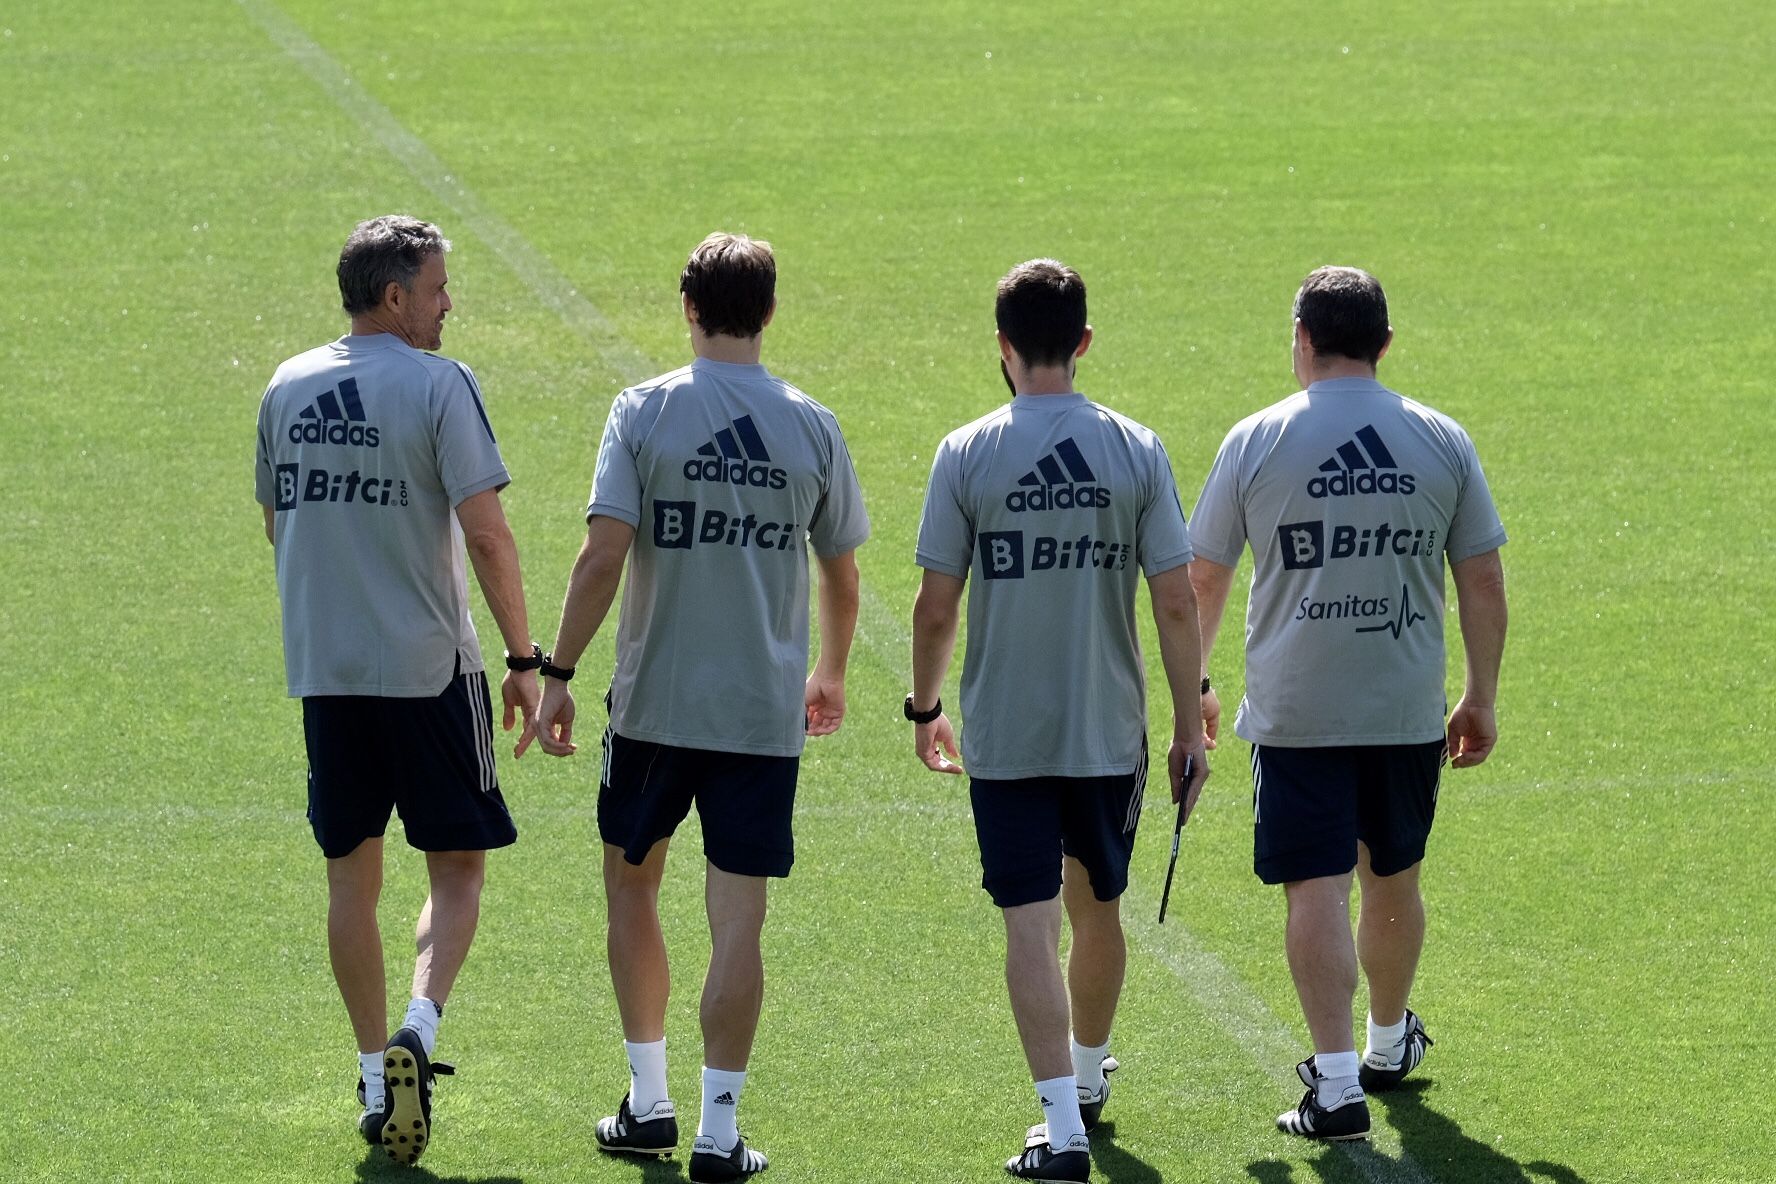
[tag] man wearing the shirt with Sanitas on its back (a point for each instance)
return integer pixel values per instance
(1354, 500)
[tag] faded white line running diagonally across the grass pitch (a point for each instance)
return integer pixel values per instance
(1223, 995)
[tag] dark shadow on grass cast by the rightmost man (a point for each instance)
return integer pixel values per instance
(1434, 1142)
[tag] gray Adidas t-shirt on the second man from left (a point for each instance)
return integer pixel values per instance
(729, 475)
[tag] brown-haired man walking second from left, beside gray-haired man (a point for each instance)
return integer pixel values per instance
(715, 482)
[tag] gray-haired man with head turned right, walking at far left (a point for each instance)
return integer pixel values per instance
(376, 468)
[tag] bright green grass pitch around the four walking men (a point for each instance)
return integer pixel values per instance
(1573, 212)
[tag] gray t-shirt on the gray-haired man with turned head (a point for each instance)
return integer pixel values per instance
(367, 446)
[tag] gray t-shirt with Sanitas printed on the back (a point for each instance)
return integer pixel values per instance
(1351, 498)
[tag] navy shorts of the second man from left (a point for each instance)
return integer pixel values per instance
(745, 803)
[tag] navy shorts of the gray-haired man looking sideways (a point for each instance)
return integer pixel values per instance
(429, 759)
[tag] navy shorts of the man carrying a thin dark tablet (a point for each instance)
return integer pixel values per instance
(1027, 825)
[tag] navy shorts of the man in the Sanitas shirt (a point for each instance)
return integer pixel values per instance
(1312, 807)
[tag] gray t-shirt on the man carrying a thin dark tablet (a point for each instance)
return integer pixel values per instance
(1054, 507)
